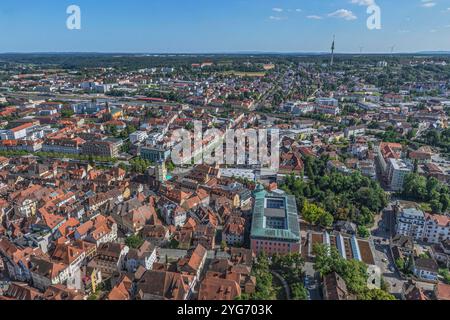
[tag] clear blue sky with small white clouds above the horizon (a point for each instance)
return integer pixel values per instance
(195, 26)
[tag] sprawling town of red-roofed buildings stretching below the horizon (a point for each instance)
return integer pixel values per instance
(95, 206)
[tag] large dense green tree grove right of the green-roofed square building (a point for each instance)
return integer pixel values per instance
(345, 197)
